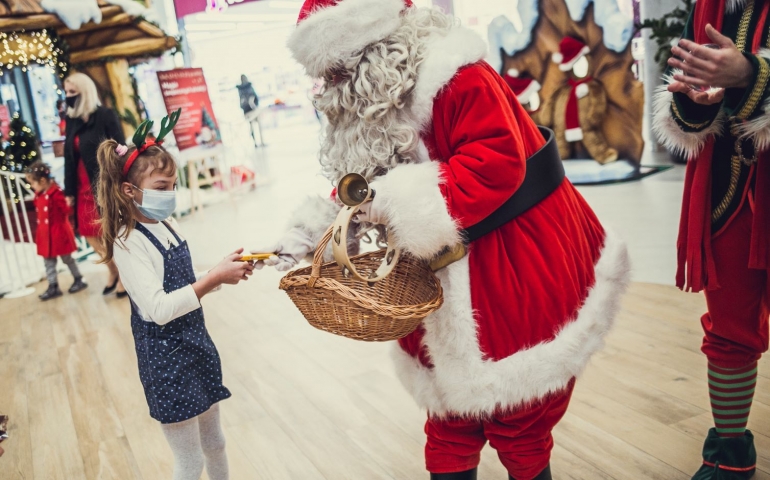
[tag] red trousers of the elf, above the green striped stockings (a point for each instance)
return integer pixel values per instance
(736, 325)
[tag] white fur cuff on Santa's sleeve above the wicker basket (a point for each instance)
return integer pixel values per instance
(414, 209)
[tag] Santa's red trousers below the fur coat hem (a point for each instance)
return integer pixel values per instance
(522, 438)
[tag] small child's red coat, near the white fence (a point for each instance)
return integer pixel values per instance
(54, 236)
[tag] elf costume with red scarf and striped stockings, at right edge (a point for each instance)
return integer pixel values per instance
(724, 236)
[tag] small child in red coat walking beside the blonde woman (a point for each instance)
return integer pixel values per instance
(54, 237)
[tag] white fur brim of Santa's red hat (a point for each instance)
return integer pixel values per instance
(333, 34)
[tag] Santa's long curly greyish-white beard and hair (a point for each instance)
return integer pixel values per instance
(369, 130)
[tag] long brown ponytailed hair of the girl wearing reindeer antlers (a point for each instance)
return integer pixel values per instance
(117, 209)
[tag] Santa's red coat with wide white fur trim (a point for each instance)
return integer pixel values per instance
(529, 305)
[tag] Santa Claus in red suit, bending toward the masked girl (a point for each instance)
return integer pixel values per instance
(413, 107)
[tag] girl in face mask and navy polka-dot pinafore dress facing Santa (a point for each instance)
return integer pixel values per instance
(179, 365)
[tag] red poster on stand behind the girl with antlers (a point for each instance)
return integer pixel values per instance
(185, 88)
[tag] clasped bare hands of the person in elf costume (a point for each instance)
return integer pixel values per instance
(706, 67)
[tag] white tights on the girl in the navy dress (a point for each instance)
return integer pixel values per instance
(197, 441)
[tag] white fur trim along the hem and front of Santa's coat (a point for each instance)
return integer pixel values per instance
(463, 382)
